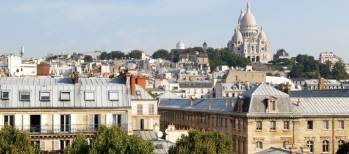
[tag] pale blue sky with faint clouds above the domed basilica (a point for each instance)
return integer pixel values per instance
(66, 26)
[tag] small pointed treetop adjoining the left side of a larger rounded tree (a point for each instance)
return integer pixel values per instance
(78, 146)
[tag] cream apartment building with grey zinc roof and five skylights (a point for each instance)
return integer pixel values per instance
(55, 110)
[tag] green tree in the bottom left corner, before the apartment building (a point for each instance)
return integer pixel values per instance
(14, 141)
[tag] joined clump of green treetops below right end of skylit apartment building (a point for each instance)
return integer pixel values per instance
(111, 140)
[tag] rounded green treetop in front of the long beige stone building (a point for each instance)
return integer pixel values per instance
(202, 142)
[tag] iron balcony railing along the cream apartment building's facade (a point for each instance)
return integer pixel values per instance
(56, 129)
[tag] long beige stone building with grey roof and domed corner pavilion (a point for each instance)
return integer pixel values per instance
(266, 120)
